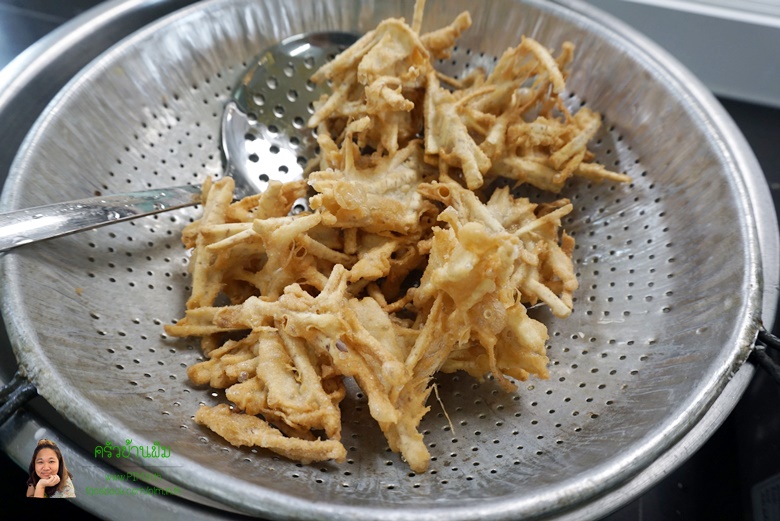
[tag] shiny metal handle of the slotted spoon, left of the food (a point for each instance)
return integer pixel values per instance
(54, 220)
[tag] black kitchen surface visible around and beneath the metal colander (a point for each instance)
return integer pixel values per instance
(714, 484)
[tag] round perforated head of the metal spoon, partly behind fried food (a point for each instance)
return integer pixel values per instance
(264, 127)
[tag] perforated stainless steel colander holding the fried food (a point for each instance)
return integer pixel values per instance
(669, 267)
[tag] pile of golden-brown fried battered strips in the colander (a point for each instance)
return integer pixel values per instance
(410, 262)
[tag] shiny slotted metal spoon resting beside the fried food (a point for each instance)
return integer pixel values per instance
(260, 141)
